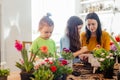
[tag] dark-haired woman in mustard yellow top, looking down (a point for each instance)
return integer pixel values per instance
(94, 35)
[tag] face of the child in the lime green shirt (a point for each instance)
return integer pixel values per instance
(46, 31)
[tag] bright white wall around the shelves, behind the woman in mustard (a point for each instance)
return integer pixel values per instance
(108, 20)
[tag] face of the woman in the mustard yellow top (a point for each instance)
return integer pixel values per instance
(92, 25)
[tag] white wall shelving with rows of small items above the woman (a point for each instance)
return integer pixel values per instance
(98, 6)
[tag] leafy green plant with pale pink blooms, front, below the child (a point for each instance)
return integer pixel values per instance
(42, 70)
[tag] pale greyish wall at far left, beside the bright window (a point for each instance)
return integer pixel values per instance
(16, 25)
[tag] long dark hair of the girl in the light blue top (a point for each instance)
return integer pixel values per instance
(72, 32)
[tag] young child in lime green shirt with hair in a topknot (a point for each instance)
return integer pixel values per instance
(46, 26)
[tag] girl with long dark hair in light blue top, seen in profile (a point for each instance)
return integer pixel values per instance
(71, 39)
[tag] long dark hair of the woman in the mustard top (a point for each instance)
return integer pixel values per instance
(98, 31)
